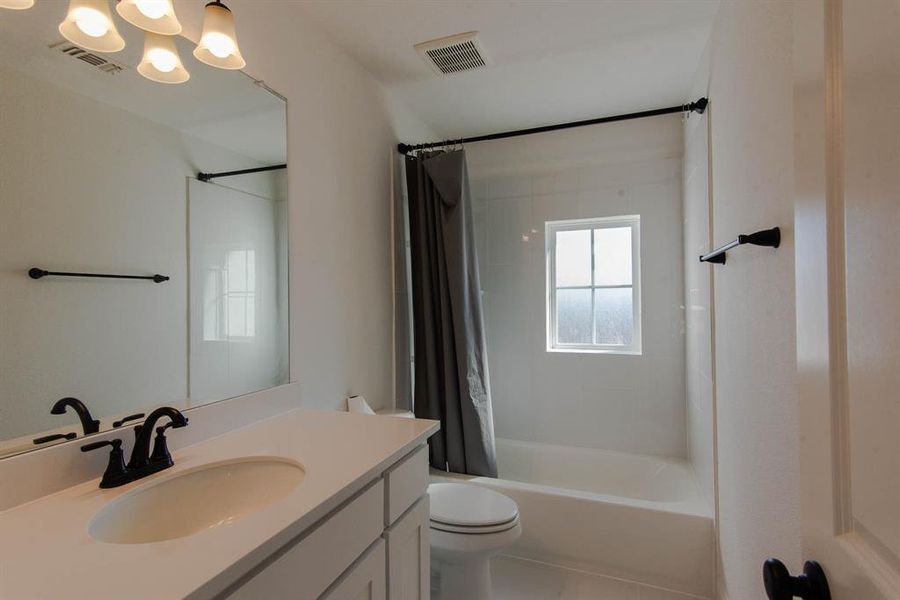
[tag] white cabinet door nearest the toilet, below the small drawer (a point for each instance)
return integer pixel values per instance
(408, 554)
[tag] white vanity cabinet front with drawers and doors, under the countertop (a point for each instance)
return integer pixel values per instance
(373, 547)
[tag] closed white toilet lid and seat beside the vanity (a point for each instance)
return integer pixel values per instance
(467, 505)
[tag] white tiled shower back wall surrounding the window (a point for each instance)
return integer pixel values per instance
(616, 402)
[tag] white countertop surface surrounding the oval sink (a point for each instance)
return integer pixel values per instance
(46, 551)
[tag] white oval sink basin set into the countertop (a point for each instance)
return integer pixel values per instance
(201, 498)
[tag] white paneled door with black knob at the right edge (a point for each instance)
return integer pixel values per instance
(847, 227)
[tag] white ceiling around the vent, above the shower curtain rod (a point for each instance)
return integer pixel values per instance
(554, 60)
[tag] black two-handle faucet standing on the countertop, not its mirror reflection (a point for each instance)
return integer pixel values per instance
(142, 463)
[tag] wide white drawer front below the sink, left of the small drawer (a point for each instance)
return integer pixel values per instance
(305, 569)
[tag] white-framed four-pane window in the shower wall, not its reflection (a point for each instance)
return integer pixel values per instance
(593, 285)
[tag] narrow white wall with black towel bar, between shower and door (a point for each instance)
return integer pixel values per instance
(751, 87)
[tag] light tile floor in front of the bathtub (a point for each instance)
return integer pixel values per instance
(520, 579)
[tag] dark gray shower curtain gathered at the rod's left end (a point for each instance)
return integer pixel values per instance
(451, 372)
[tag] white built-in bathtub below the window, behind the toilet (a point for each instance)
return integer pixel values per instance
(629, 516)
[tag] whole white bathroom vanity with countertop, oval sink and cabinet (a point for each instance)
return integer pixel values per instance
(337, 510)
